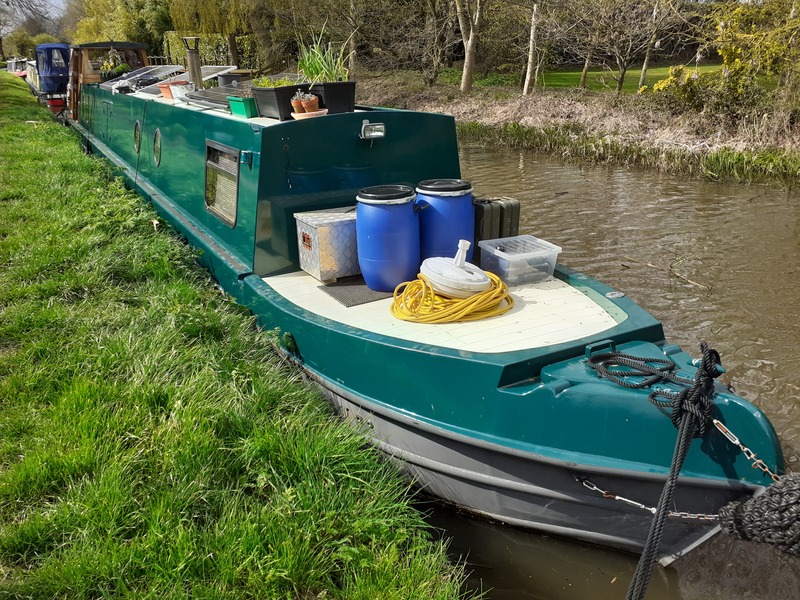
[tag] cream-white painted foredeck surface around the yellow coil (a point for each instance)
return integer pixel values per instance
(545, 313)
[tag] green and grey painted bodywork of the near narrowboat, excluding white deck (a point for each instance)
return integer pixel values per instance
(506, 434)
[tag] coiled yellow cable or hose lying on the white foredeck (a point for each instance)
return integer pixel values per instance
(418, 302)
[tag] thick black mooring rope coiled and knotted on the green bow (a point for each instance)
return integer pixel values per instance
(691, 412)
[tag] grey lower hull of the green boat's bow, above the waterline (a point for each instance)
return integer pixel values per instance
(534, 492)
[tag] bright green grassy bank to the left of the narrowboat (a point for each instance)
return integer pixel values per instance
(152, 443)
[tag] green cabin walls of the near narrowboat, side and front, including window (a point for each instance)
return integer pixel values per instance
(241, 181)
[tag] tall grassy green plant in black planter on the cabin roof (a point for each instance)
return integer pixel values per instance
(326, 68)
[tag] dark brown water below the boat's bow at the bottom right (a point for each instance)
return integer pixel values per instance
(510, 564)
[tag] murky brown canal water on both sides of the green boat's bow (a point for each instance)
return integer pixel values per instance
(715, 262)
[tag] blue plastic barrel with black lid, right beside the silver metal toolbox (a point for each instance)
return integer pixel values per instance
(387, 232)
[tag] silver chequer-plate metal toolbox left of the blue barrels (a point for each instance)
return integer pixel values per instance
(326, 243)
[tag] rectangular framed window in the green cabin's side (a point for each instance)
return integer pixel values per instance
(222, 181)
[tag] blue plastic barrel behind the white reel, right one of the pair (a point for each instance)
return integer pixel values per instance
(446, 215)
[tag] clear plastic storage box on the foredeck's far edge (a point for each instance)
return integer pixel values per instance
(519, 259)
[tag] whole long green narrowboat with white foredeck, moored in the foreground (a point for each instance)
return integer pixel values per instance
(511, 417)
